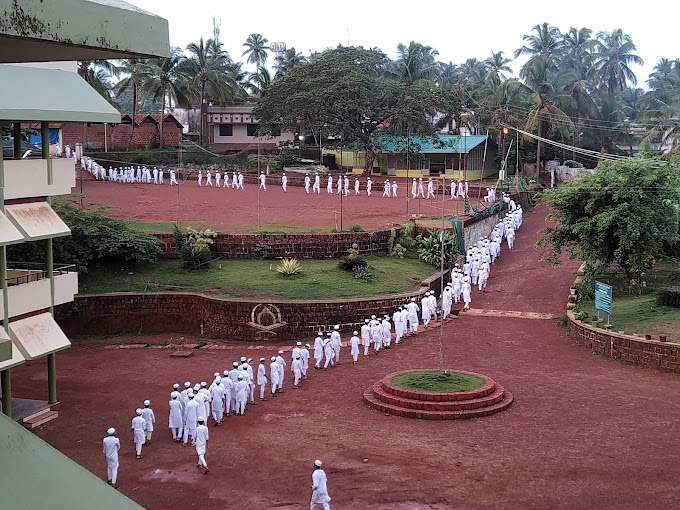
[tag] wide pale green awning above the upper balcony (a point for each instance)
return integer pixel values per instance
(36, 94)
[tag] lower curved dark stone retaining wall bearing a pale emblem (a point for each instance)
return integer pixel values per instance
(223, 318)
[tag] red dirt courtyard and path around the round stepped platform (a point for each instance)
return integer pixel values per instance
(584, 432)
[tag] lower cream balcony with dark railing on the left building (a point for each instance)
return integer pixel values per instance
(28, 287)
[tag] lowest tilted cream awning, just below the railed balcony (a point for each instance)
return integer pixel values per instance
(37, 336)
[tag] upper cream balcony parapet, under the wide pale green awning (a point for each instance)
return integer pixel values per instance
(27, 178)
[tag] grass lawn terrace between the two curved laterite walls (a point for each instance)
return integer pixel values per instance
(319, 279)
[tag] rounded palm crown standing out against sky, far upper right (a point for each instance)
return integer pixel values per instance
(613, 55)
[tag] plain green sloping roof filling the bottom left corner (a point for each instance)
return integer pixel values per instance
(34, 475)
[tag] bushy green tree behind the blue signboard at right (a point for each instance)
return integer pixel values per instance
(625, 213)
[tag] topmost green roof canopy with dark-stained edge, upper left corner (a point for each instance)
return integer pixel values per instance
(43, 31)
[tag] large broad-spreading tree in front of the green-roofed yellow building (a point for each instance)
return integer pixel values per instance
(348, 91)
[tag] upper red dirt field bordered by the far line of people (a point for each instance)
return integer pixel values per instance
(227, 210)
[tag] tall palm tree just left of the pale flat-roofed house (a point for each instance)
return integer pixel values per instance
(208, 74)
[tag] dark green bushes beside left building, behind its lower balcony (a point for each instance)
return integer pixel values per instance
(95, 238)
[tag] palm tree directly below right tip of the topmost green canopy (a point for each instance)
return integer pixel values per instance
(162, 81)
